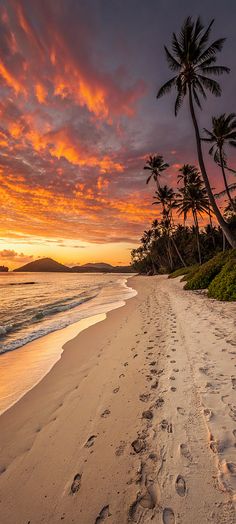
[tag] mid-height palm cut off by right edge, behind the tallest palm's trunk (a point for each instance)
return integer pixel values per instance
(223, 132)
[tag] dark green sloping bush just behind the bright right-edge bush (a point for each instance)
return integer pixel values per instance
(208, 271)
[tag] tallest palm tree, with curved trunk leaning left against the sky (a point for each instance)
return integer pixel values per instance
(193, 61)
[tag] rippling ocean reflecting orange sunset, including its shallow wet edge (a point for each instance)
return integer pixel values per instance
(35, 305)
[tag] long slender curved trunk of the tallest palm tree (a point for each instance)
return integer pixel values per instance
(229, 235)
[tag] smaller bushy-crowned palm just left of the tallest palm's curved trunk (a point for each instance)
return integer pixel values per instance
(193, 198)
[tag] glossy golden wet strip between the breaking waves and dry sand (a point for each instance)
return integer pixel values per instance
(42, 354)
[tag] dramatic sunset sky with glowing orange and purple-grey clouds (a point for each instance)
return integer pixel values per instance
(79, 116)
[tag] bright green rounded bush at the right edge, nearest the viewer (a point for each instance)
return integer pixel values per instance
(223, 287)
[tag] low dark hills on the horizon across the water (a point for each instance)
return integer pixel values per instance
(52, 266)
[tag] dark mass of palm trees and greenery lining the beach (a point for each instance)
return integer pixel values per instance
(199, 253)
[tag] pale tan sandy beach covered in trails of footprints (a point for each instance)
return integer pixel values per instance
(135, 423)
